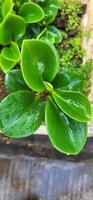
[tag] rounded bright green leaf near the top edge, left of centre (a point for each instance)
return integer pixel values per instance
(31, 12)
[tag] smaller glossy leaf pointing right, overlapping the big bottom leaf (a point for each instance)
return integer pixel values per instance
(74, 104)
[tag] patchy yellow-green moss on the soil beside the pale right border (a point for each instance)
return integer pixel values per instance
(70, 49)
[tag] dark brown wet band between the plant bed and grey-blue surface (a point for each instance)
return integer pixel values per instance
(40, 146)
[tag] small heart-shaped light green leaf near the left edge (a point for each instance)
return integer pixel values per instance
(11, 53)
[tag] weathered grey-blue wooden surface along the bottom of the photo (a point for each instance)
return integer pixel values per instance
(21, 176)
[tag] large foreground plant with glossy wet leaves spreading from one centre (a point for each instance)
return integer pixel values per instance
(22, 112)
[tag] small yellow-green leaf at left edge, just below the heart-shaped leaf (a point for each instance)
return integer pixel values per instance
(5, 64)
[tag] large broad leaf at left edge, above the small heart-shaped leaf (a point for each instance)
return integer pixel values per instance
(12, 28)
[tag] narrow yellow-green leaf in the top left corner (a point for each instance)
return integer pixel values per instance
(7, 7)
